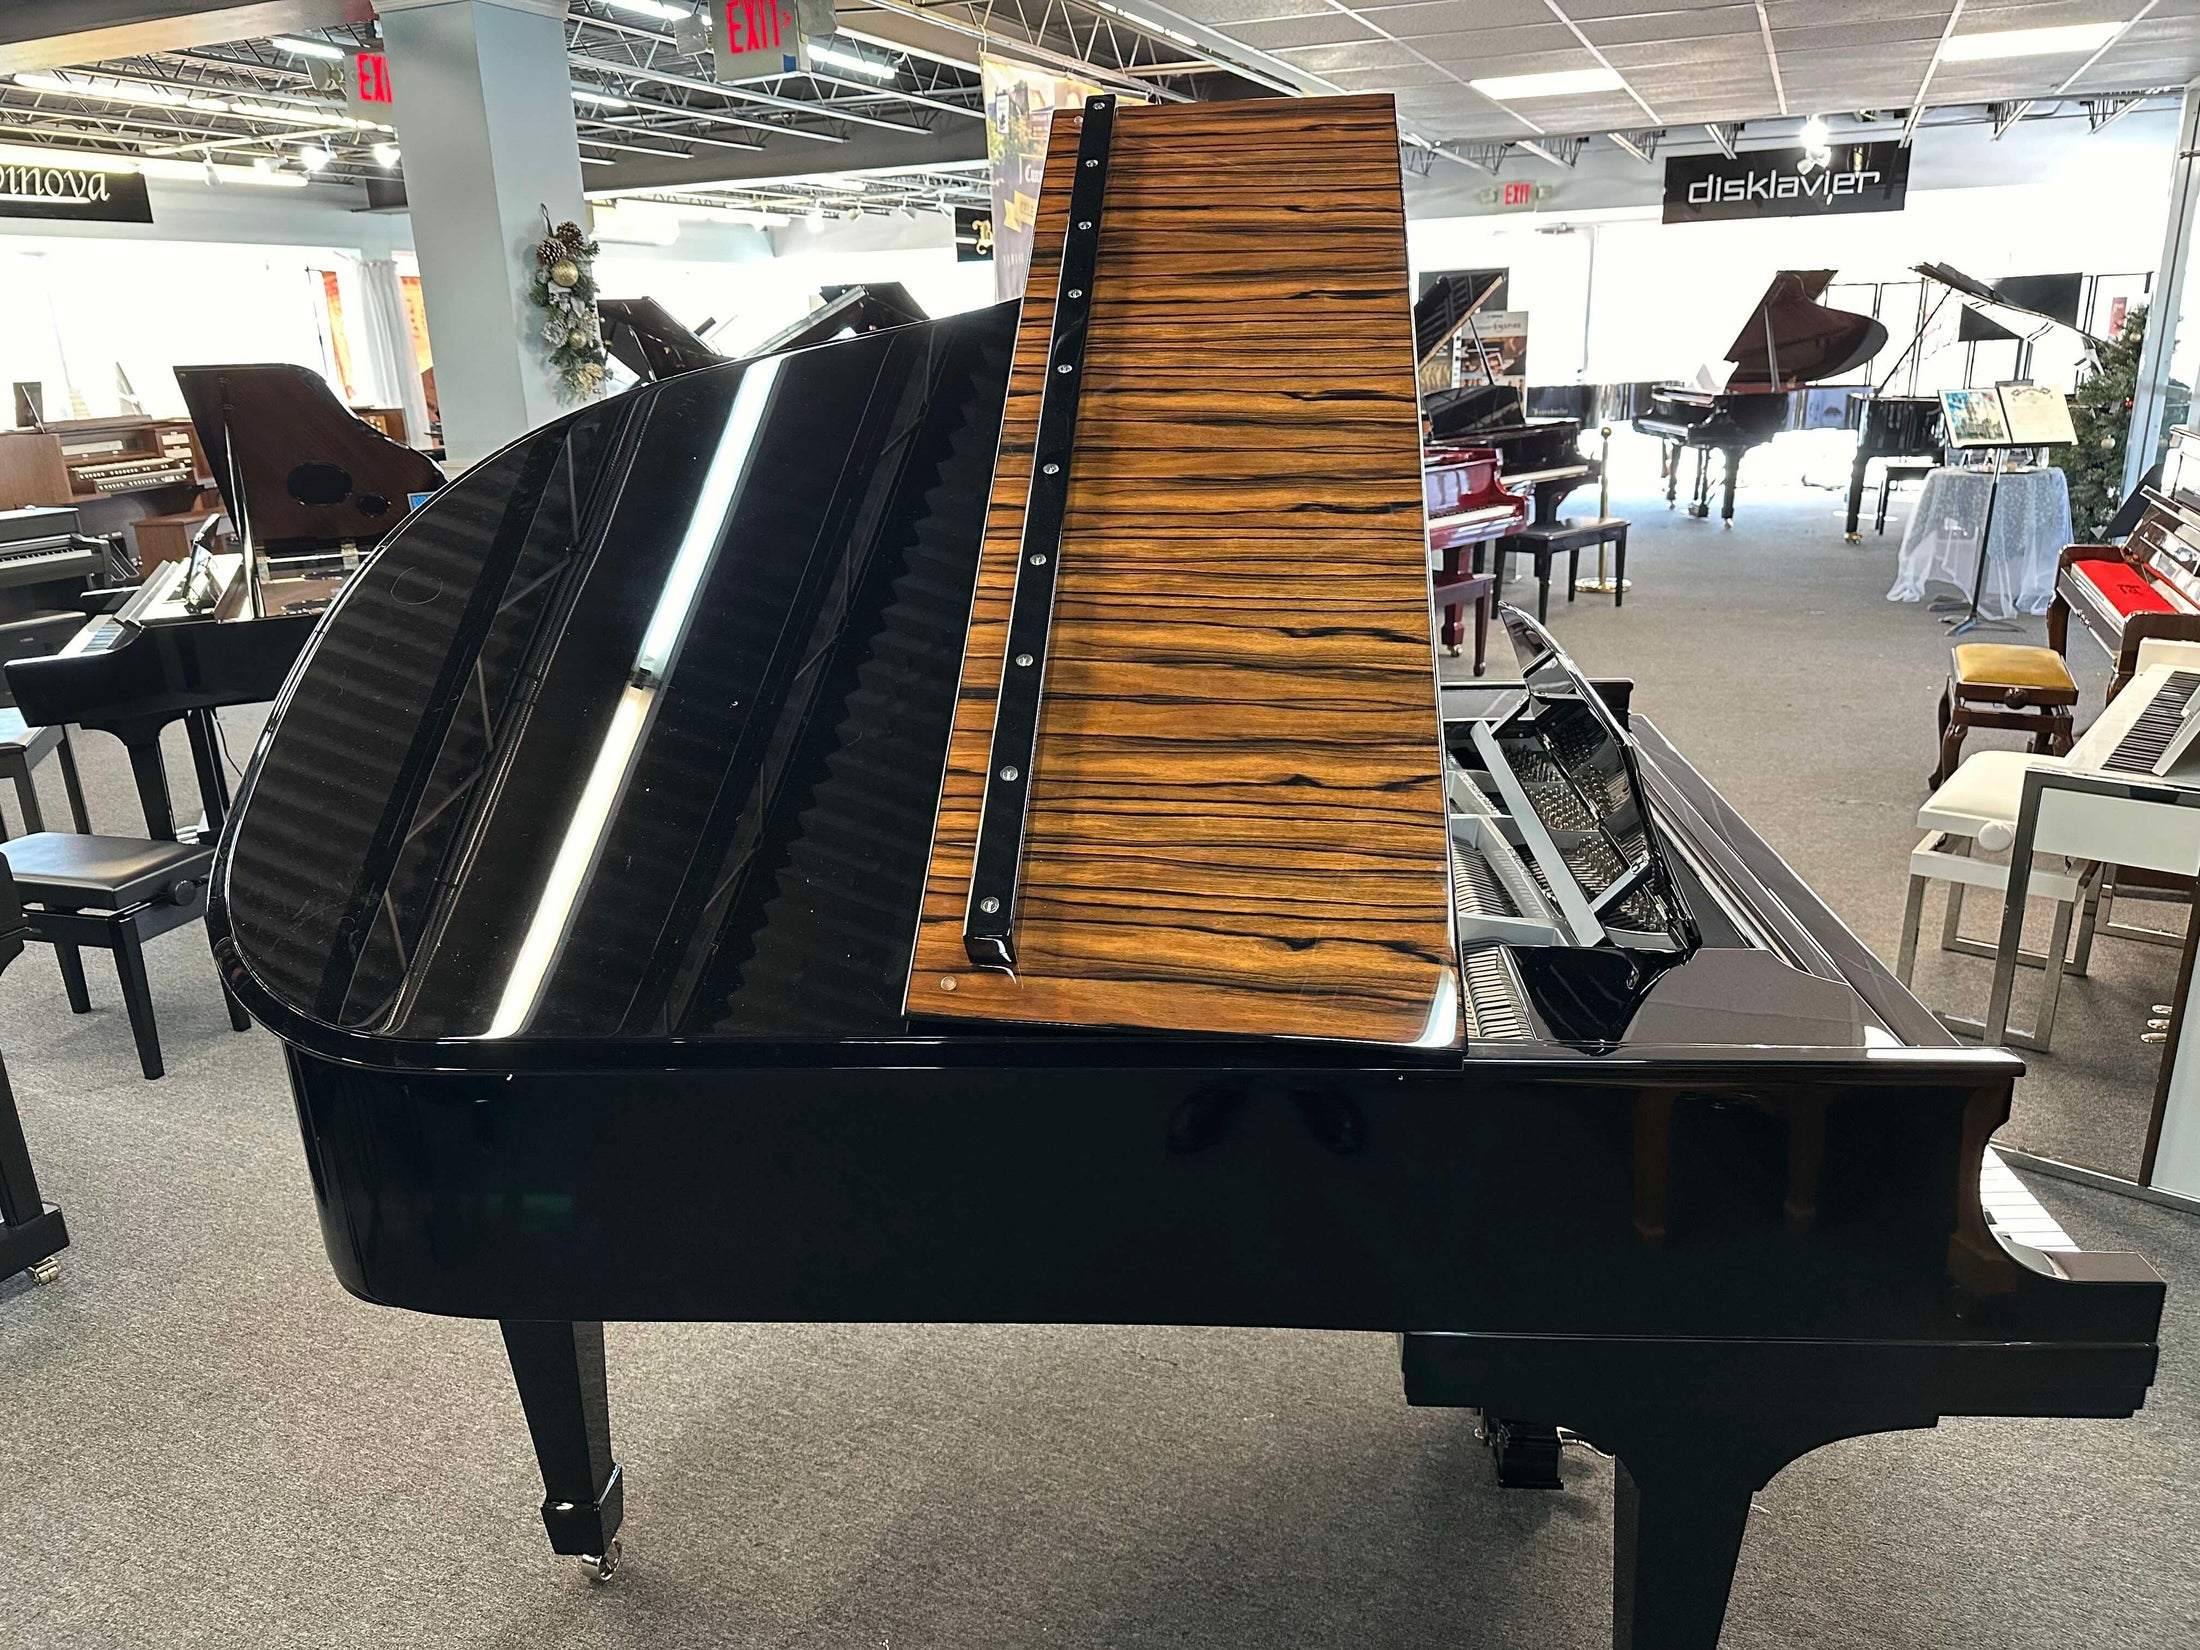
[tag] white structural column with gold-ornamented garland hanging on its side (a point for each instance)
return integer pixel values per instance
(485, 122)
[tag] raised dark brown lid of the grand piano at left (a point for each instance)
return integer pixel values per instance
(291, 461)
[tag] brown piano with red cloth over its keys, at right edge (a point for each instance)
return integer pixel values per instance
(2150, 584)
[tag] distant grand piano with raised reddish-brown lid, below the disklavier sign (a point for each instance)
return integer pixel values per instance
(1787, 342)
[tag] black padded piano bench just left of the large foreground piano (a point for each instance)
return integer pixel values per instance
(113, 894)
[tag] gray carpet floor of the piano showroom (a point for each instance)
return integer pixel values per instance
(210, 1444)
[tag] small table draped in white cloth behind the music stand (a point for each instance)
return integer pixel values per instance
(2032, 525)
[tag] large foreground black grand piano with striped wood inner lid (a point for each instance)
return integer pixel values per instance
(960, 826)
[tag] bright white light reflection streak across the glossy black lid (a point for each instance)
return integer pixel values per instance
(637, 705)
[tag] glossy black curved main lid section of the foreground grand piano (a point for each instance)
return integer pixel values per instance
(635, 731)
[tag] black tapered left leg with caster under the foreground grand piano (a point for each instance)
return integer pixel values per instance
(560, 1376)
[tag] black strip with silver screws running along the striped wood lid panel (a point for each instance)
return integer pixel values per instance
(991, 912)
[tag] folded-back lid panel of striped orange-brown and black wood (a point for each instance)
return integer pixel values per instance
(1235, 813)
